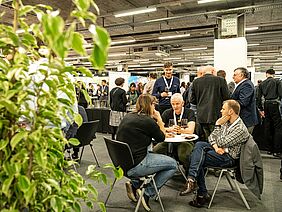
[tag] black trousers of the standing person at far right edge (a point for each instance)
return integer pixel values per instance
(273, 126)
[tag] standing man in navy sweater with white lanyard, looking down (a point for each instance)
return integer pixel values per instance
(165, 86)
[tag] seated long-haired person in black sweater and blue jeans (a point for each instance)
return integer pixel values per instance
(138, 129)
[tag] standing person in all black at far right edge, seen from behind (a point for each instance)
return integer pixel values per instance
(271, 90)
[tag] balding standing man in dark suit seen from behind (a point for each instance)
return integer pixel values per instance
(207, 93)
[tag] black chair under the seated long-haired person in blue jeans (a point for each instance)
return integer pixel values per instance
(121, 156)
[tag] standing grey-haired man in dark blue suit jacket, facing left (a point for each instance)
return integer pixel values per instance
(244, 93)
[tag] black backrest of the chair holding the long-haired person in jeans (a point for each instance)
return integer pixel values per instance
(120, 154)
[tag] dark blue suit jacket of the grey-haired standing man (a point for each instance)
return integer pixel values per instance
(244, 93)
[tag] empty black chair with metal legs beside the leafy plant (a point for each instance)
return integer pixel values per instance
(85, 134)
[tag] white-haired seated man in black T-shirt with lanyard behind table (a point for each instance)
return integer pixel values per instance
(182, 150)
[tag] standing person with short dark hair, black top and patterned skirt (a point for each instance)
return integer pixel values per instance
(118, 103)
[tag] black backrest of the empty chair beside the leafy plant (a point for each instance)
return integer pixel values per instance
(87, 132)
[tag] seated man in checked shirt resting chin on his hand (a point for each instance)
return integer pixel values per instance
(222, 150)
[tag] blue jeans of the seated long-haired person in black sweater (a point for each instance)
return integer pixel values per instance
(162, 165)
